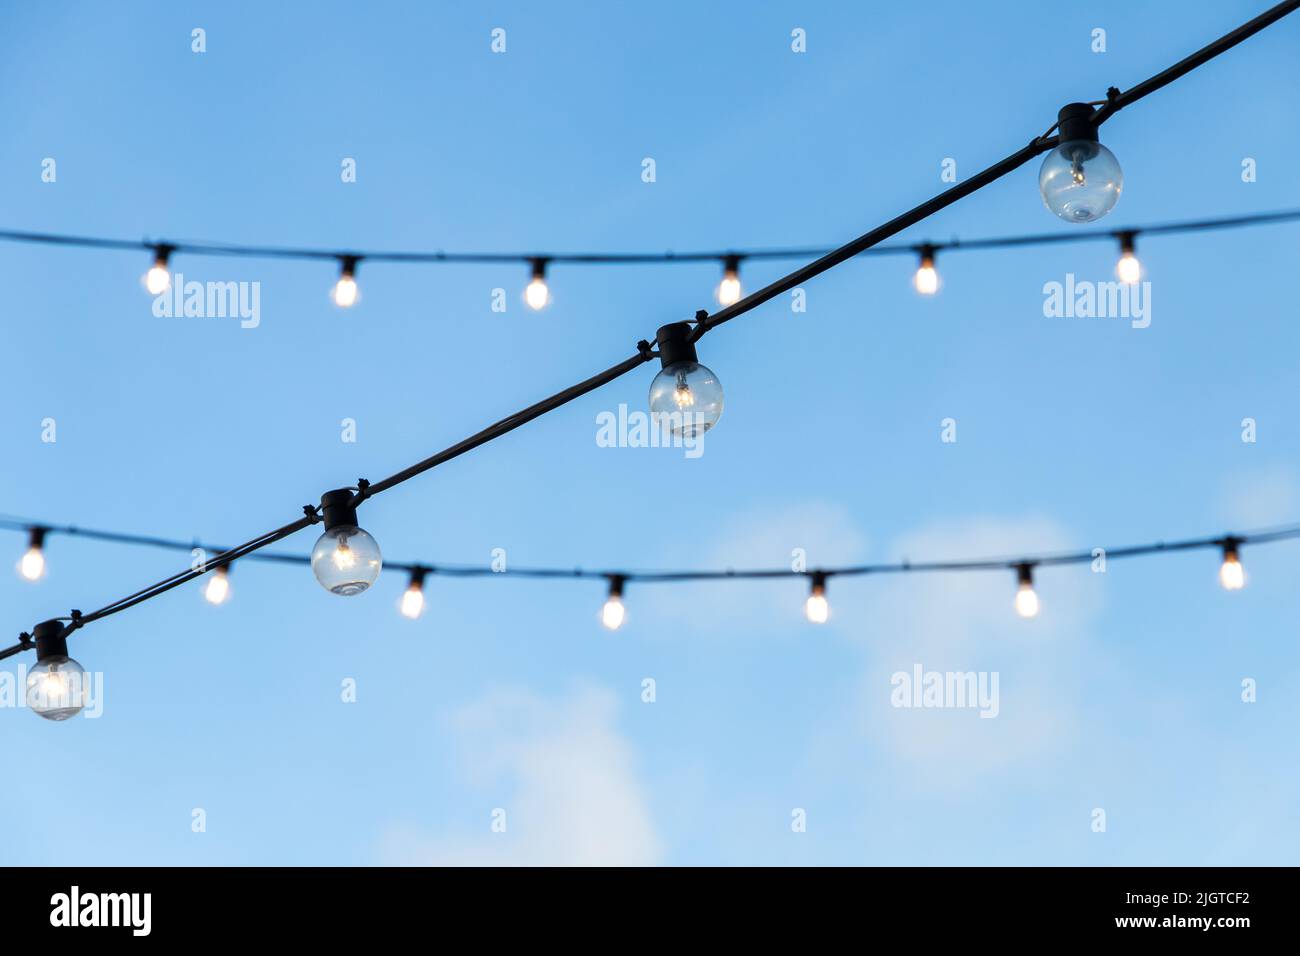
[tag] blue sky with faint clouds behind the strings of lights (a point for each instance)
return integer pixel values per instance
(1125, 693)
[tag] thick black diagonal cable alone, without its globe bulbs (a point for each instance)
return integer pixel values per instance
(705, 322)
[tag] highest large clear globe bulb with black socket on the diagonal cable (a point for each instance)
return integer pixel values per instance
(1080, 180)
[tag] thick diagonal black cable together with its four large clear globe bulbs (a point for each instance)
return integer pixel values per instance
(1077, 181)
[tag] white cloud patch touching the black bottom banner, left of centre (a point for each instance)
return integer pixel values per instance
(562, 773)
